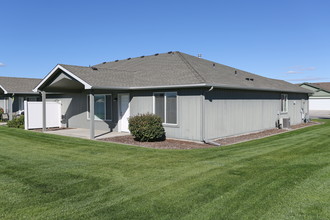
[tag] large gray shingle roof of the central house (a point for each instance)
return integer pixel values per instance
(175, 69)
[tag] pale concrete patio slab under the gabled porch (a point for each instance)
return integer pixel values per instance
(84, 133)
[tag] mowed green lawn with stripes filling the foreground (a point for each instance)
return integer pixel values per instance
(51, 177)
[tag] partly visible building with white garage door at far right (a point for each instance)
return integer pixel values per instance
(320, 99)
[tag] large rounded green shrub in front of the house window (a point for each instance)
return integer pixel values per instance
(146, 127)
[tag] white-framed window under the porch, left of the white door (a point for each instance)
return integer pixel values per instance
(102, 107)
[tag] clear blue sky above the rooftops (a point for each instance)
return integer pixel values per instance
(283, 39)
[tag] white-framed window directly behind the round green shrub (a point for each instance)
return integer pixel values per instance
(165, 106)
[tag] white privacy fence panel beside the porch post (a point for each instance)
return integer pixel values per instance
(33, 115)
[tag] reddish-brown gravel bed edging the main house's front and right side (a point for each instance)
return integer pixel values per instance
(180, 144)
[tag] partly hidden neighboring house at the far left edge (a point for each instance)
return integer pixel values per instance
(14, 91)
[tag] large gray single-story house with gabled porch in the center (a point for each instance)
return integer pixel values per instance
(197, 99)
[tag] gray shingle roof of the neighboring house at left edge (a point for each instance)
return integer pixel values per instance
(18, 85)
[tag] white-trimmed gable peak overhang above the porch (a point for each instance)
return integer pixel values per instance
(50, 75)
